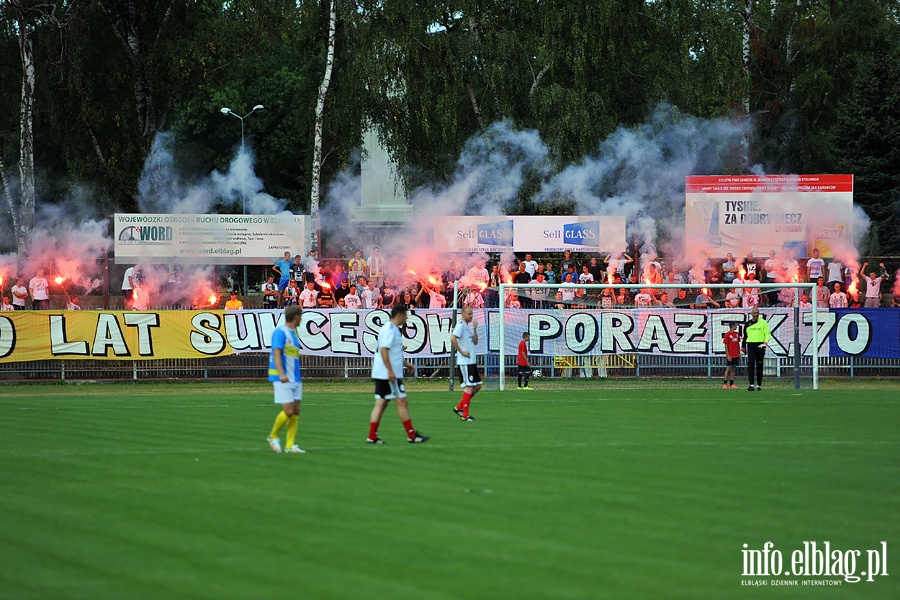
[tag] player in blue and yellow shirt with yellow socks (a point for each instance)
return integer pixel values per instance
(284, 373)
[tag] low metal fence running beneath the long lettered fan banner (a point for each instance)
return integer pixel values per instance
(255, 366)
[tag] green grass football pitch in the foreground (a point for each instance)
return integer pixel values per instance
(170, 491)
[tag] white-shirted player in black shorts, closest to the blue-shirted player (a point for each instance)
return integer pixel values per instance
(387, 371)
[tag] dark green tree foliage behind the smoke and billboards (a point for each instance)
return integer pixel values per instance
(429, 75)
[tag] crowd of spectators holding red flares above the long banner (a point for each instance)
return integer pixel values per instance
(377, 281)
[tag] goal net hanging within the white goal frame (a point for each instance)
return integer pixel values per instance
(582, 336)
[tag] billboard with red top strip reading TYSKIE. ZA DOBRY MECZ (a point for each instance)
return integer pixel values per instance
(791, 214)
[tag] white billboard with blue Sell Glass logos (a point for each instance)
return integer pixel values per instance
(530, 234)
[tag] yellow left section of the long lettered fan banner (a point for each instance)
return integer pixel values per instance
(112, 335)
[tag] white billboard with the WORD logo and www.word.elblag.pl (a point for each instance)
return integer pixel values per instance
(209, 239)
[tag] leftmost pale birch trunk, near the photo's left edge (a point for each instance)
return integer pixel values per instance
(26, 136)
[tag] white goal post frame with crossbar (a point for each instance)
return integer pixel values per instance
(761, 287)
